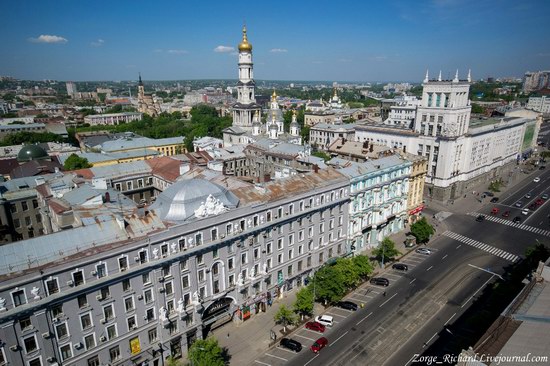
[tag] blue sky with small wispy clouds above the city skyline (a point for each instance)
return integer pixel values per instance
(292, 40)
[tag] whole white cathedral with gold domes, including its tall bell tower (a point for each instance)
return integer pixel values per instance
(247, 122)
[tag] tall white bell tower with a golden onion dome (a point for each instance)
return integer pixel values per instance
(246, 106)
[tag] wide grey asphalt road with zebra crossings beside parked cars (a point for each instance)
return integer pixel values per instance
(395, 328)
